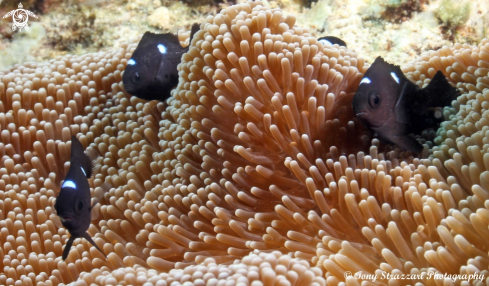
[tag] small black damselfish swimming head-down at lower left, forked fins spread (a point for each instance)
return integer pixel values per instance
(73, 204)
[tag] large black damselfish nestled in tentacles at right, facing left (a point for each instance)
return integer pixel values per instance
(393, 107)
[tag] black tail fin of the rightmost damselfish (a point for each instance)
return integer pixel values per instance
(440, 85)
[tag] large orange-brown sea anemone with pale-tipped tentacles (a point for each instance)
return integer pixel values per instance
(258, 151)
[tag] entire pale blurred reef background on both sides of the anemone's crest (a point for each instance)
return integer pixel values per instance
(398, 30)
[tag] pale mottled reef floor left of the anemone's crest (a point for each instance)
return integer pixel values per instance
(82, 26)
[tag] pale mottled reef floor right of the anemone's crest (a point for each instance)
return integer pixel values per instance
(360, 23)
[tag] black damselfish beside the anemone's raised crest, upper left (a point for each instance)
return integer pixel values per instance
(152, 73)
